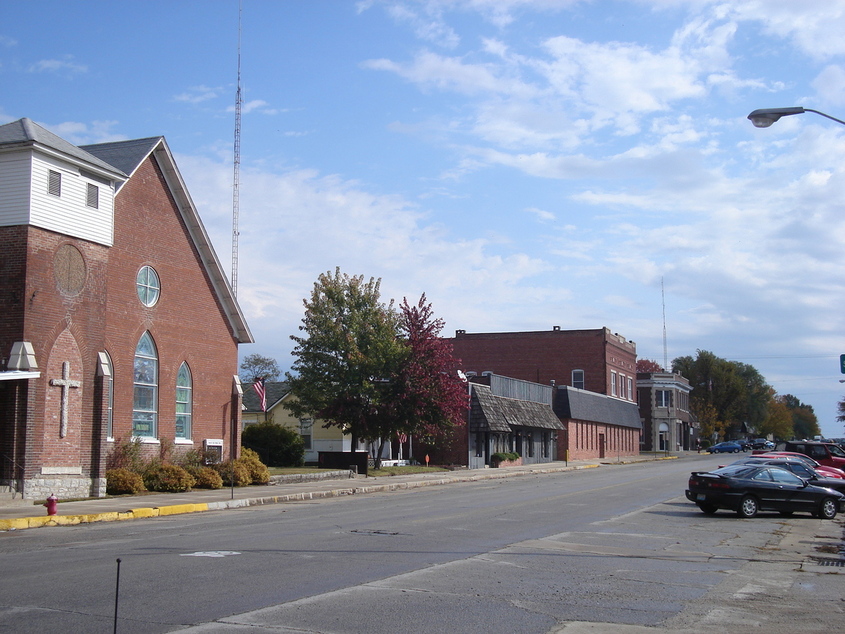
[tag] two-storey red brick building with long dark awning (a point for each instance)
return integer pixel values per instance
(593, 371)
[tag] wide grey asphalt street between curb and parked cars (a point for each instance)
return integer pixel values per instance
(572, 551)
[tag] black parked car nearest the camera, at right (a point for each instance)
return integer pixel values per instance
(749, 488)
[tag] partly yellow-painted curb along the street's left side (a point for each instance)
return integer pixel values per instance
(21, 523)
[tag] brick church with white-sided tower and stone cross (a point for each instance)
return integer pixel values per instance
(117, 320)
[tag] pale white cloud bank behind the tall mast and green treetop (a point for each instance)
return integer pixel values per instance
(296, 225)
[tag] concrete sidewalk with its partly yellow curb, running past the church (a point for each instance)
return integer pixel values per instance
(21, 516)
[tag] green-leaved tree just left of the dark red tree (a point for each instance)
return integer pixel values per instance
(346, 357)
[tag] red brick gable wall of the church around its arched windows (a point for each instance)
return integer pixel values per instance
(187, 324)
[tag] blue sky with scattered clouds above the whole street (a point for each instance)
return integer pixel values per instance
(525, 163)
